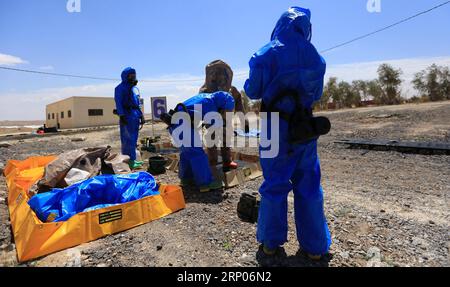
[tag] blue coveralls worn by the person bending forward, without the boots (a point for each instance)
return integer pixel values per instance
(194, 164)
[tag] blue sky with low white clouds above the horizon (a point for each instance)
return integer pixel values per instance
(174, 39)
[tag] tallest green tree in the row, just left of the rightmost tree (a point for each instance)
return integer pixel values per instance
(389, 81)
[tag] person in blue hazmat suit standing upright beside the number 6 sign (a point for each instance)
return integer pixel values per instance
(128, 107)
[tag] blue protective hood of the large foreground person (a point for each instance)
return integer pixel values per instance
(294, 23)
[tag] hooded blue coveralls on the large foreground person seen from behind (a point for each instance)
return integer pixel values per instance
(290, 62)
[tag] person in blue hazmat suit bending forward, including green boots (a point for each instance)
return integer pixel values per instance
(194, 166)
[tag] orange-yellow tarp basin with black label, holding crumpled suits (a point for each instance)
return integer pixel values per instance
(34, 238)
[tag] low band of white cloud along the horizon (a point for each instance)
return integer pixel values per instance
(15, 105)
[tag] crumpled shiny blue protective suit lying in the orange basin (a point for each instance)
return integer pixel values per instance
(94, 193)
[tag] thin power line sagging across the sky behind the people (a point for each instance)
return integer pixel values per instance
(240, 74)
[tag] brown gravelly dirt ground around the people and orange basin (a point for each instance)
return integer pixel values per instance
(384, 208)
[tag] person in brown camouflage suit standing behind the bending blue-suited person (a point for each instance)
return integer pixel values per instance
(219, 77)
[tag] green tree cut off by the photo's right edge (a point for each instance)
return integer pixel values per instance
(433, 83)
